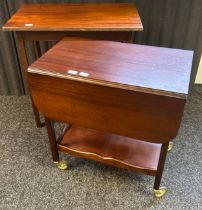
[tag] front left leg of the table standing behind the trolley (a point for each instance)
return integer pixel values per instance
(25, 64)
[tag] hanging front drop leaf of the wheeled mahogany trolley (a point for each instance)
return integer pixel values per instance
(150, 117)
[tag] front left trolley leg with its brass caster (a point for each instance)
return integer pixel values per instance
(61, 164)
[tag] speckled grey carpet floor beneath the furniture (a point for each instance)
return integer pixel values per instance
(29, 179)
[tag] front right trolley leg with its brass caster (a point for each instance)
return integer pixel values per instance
(160, 191)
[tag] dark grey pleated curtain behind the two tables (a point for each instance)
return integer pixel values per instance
(167, 23)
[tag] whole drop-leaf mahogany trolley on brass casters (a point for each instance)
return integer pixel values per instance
(124, 108)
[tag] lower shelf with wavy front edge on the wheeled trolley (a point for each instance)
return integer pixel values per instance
(112, 149)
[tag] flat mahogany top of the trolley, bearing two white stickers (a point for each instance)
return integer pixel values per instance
(120, 65)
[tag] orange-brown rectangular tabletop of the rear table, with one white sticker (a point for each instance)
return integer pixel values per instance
(76, 17)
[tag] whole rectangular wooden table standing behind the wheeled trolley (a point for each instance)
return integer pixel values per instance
(52, 22)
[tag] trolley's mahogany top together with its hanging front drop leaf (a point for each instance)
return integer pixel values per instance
(103, 85)
